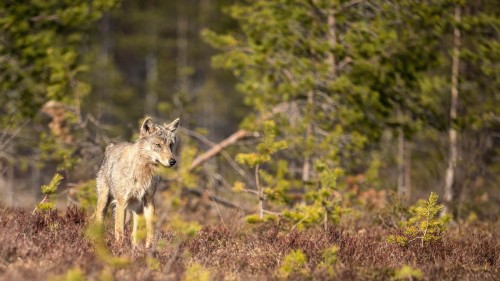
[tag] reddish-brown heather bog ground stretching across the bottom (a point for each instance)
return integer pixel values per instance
(54, 245)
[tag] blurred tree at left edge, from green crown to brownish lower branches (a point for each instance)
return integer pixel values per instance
(41, 61)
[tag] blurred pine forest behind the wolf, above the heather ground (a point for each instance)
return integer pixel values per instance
(308, 113)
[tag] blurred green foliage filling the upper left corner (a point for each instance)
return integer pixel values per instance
(39, 51)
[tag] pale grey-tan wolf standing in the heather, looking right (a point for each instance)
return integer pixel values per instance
(127, 177)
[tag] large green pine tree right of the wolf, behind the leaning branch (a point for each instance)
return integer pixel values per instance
(295, 53)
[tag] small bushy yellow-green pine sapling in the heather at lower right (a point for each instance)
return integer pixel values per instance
(424, 223)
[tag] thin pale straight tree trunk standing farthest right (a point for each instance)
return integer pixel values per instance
(452, 133)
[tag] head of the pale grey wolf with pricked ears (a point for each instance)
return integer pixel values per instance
(157, 141)
